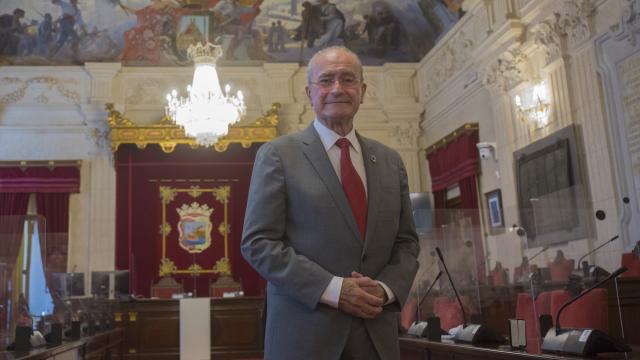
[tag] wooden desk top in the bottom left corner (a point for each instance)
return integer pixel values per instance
(106, 345)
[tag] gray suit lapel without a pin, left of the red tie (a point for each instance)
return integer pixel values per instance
(316, 154)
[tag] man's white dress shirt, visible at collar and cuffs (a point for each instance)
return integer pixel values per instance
(331, 295)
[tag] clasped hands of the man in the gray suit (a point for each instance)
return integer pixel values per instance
(361, 296)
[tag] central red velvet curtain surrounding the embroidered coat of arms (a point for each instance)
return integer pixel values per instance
(139, 175)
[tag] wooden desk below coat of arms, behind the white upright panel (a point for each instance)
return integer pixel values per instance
(152, 328)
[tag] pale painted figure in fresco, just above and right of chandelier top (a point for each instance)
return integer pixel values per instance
(228, 15)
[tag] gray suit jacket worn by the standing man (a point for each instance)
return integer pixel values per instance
(299, 232)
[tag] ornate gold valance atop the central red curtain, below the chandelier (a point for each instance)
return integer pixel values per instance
(167, 134)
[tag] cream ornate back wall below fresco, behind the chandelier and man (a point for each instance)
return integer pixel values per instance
(57, 113)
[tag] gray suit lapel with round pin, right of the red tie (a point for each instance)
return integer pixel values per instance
(373, 170)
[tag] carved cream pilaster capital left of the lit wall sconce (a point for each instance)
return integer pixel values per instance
(507, 71)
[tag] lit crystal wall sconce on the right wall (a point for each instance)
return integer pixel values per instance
(533, 105)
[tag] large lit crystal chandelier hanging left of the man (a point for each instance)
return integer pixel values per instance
(207, 112)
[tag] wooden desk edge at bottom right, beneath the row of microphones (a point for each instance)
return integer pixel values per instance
(420, 349)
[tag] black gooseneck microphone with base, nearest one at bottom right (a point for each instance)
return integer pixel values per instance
(583, 342)
